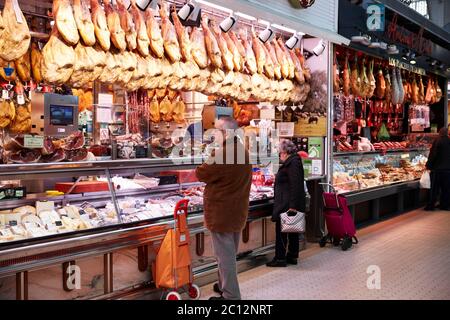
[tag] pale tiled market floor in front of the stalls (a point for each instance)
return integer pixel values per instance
(412, 252)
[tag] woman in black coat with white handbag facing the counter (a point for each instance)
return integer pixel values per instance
(289, 196)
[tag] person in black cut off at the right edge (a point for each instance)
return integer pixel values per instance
(439, 166)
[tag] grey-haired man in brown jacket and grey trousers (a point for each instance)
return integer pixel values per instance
(228, 180)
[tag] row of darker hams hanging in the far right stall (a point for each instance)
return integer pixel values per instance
(395, 87)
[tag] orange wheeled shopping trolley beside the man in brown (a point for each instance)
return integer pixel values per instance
(173, 266)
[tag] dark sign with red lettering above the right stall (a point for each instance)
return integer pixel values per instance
(410, 39)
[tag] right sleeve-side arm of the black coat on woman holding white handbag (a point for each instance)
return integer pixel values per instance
(296, 185)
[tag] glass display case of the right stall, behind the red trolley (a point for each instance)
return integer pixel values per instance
(357, 171)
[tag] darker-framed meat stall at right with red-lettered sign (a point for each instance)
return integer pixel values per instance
(388, 106)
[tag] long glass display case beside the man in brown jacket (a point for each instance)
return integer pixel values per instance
(48, 202)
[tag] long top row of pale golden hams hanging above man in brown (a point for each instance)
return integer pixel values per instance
(113, 45)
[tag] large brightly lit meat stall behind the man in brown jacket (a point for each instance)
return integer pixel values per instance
(97, 99)
